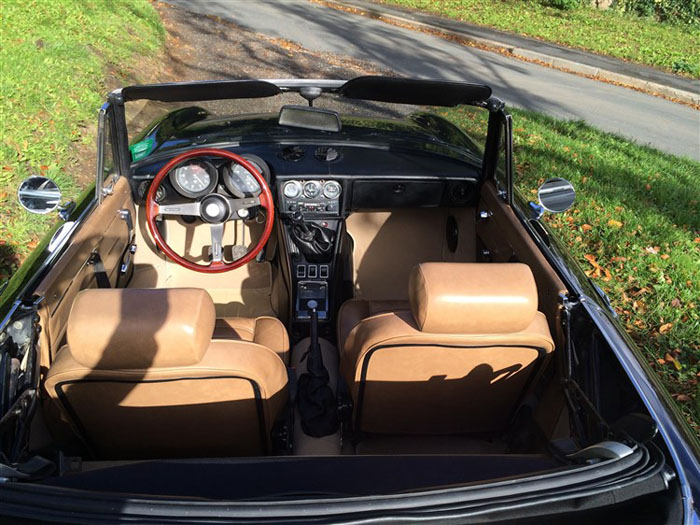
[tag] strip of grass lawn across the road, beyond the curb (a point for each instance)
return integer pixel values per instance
(642, 40)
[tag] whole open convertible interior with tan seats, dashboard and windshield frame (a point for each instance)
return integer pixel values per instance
(295, 301)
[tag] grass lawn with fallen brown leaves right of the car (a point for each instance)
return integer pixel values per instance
(635, 229)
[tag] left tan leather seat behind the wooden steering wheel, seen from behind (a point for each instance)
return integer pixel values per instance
(141, 377)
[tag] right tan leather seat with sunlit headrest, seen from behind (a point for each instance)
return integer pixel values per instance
(457, 362)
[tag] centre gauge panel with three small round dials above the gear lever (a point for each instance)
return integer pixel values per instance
(310, 196)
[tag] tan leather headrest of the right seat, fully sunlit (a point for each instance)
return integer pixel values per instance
(472, 298)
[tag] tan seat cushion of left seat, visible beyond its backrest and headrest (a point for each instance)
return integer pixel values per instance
(265, 331)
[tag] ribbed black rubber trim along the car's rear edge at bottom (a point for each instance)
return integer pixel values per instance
(466, 504)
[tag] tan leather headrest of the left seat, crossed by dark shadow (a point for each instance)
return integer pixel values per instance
(139, 329)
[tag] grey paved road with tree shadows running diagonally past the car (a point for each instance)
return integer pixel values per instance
(646, 119)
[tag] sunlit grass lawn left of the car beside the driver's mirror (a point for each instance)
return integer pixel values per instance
(55, 56)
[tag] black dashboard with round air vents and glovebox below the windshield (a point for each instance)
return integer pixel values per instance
(320, 180)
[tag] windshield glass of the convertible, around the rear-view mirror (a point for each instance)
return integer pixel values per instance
(157, 127)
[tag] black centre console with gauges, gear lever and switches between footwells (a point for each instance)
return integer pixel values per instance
(311, 212)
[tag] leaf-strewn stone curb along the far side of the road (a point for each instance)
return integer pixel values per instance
(596, 73)
